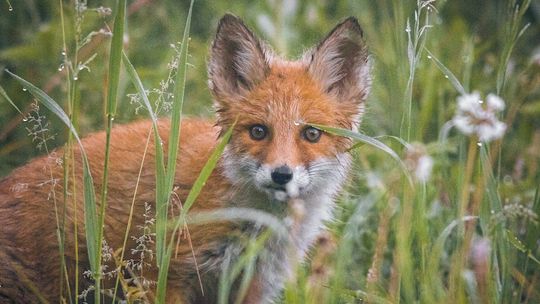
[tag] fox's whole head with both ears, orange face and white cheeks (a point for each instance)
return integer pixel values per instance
(273, 149)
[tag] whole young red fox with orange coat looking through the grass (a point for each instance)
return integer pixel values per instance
(274, 162)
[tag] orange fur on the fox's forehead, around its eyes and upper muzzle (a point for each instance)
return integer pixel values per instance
(292, 99)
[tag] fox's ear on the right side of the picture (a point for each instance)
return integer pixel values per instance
(340, 63)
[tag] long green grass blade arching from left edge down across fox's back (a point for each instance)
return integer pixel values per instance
(90, 213)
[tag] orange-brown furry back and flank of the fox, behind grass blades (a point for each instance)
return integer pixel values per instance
(32, 197)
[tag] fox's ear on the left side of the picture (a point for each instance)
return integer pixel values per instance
(237, 59)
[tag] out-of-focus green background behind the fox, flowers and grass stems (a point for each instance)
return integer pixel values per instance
(475, 40)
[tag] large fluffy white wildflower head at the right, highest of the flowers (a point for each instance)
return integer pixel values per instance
(476, 117)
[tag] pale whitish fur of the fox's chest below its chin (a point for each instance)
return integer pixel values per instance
(268, 249)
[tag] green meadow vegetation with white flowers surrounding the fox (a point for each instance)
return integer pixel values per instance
(443, 204)
